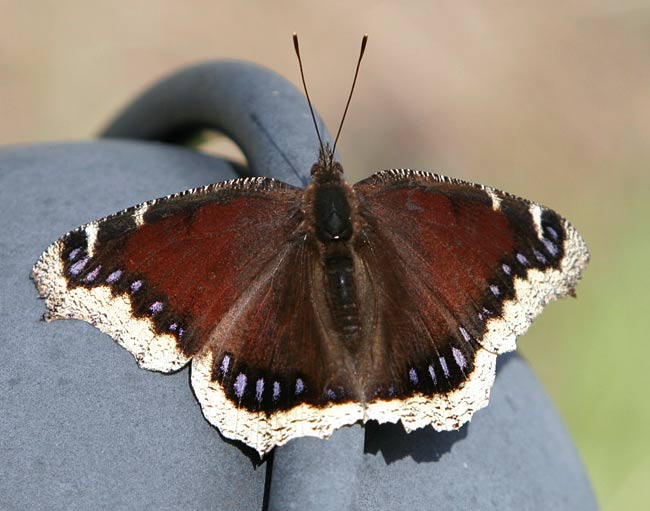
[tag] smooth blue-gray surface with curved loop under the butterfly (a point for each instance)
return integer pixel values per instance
(83, 428)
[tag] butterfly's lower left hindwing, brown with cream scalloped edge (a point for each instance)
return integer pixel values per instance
(277, 372)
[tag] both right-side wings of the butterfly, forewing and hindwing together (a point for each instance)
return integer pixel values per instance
(457, 271)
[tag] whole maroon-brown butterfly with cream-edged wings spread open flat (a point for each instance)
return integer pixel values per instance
(301, 311)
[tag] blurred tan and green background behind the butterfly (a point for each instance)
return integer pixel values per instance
(547, 100)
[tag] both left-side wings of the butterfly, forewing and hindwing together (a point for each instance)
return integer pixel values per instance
(220, 274)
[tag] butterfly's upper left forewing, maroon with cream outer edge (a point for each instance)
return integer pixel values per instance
(157, 277)
